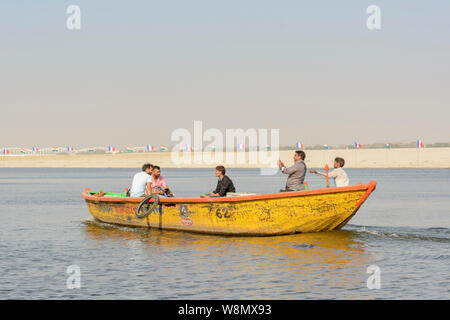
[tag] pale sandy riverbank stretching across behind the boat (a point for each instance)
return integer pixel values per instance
(355, 158)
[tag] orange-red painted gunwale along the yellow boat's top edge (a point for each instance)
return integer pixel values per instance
(369, 187)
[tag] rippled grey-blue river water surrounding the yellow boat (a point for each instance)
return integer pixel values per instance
(403, 228)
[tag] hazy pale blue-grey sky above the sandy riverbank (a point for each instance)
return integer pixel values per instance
(137, 70)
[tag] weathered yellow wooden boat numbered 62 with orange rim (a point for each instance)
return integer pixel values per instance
(256, 215)
